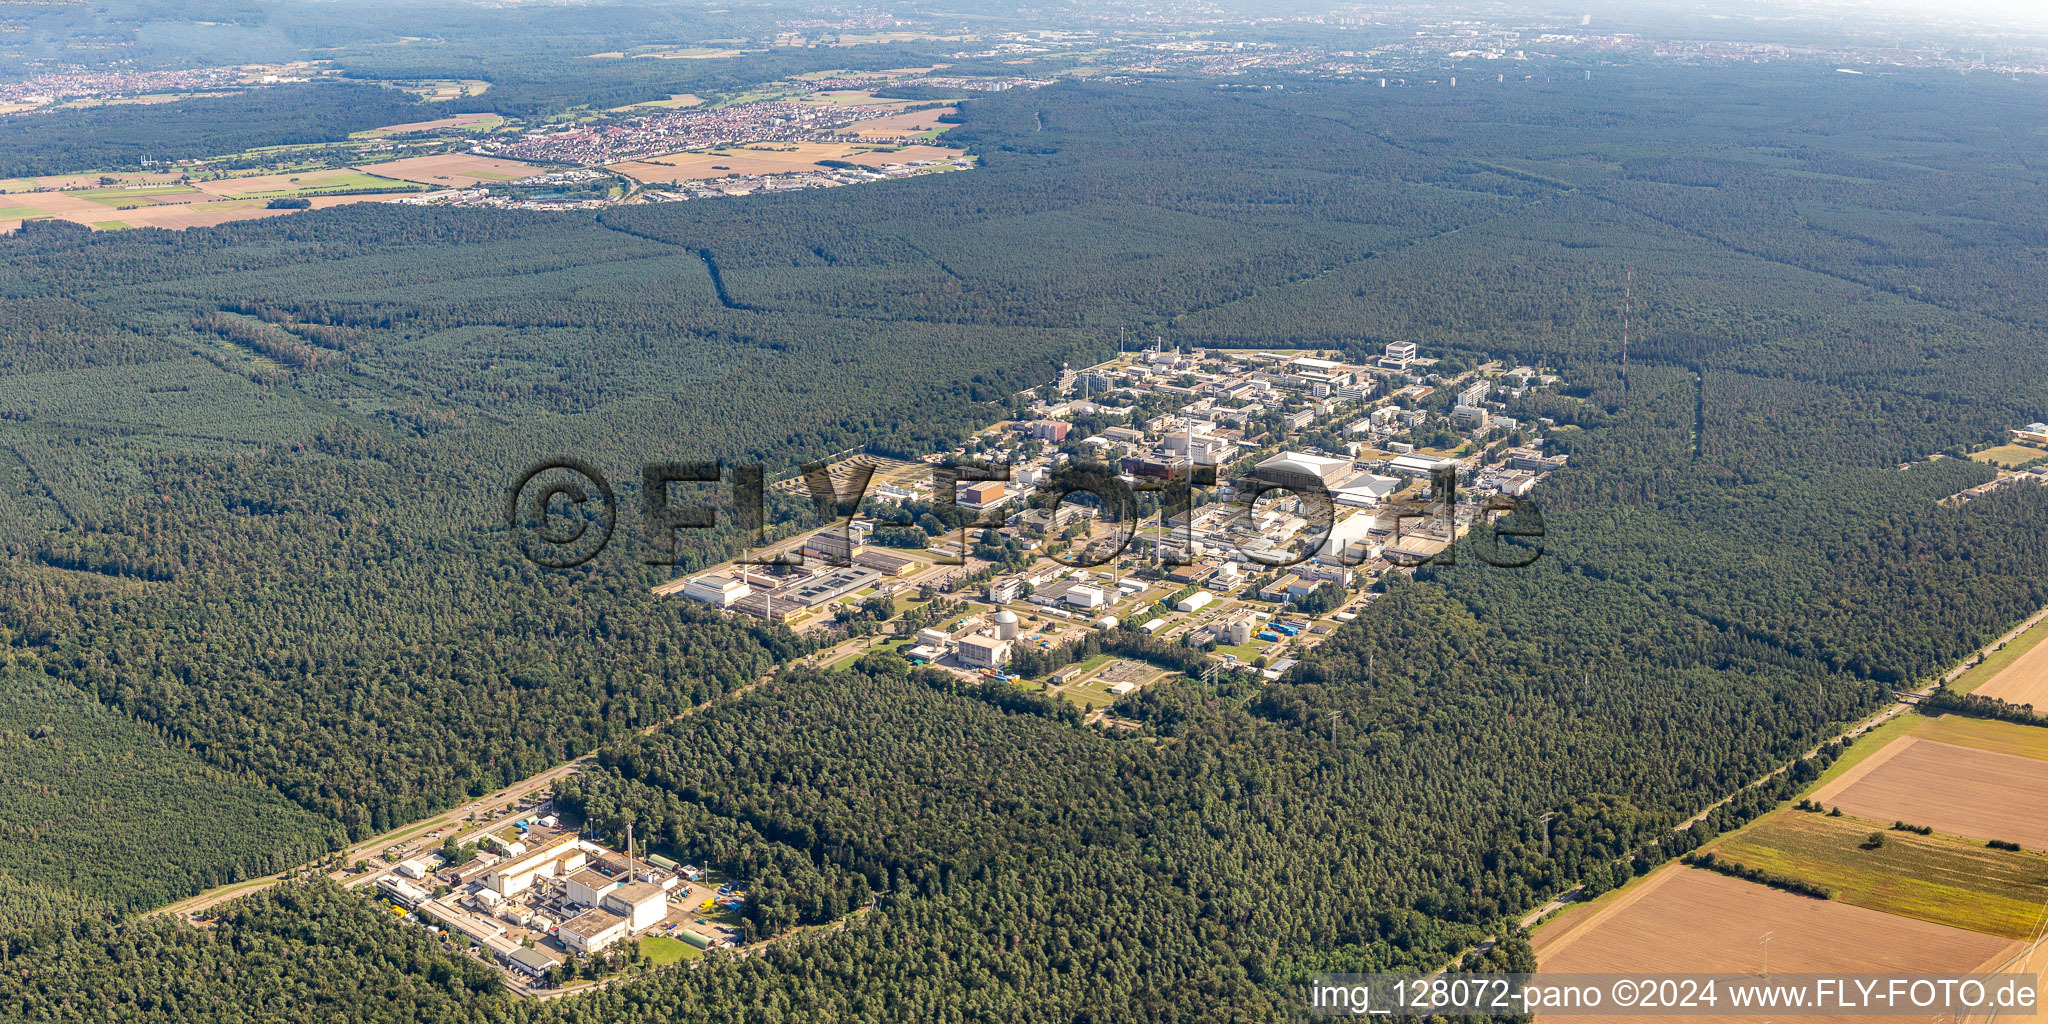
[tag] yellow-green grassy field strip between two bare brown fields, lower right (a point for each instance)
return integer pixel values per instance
(1940, 880)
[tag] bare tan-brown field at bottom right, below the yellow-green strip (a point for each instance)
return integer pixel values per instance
(1689, 921)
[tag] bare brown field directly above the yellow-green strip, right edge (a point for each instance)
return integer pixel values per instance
(1949, 787)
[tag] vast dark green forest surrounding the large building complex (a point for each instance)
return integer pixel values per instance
(275, 546)
